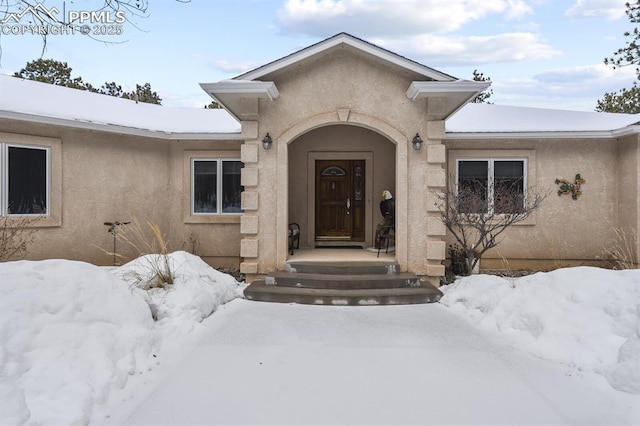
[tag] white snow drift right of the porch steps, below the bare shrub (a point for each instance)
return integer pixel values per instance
(586, 318)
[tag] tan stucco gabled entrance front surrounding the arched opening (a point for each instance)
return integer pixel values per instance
(341, 86)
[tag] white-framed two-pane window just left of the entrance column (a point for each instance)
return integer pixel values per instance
(216, 186)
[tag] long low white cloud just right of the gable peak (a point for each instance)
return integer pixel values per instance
(473, 50)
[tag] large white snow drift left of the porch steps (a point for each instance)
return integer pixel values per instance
(70, 332)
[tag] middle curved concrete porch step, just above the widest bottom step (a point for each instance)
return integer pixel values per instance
(342, 281)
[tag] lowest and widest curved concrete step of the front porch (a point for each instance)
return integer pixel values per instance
(259, 291)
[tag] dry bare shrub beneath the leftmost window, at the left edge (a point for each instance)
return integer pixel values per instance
(16, 233)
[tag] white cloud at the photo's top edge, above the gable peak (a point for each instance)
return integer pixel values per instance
(393, 18)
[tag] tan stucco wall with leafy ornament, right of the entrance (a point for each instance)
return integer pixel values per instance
(564, 231)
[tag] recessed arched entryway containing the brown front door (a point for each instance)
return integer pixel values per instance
(336, 175)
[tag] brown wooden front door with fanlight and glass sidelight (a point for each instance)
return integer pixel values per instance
(340, 200)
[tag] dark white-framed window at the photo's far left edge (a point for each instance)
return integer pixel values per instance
(24, 180)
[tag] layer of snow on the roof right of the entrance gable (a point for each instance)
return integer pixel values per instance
(492, 119)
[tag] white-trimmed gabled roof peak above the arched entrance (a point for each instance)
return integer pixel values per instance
(354, 42)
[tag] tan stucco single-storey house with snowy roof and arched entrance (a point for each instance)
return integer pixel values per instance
(312, 138)
